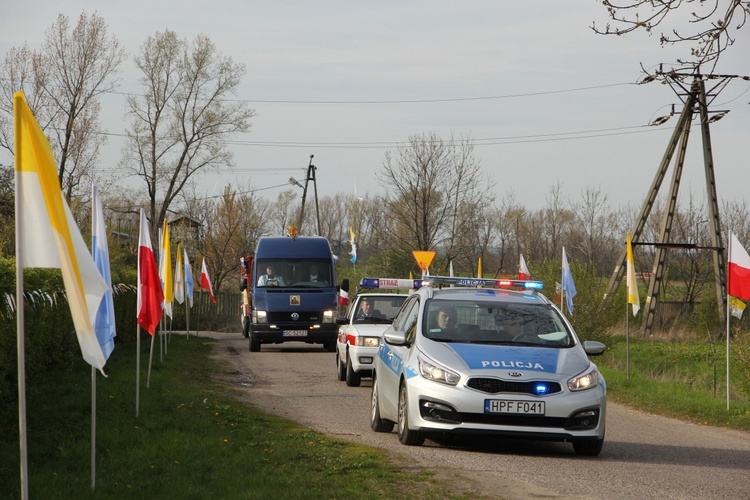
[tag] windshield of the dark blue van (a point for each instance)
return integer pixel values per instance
(314, 273)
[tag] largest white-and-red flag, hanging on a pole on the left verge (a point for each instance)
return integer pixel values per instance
(150, 293)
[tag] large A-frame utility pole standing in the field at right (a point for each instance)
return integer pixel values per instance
(695, 100)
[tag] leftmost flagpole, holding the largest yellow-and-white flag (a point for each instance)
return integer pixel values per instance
(17, 101)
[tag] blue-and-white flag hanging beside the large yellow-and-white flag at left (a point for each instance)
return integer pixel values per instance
(104, 323)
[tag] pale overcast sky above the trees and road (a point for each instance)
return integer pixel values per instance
(348, 61)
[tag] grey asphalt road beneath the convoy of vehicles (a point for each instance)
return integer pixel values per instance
(644, 456)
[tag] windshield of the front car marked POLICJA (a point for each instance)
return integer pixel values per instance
(495, 323)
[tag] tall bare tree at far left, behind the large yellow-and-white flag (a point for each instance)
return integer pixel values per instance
(65, 81)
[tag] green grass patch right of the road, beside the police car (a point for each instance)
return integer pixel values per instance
(685, 379)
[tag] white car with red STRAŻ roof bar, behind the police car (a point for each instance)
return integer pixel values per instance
(367, 317)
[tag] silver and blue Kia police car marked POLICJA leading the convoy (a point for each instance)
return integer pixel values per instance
(474, 359)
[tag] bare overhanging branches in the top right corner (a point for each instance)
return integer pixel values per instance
(711, 27)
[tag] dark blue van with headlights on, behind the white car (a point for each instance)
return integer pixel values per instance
(294, 292)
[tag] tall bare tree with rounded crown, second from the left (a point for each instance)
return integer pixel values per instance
(181, 123)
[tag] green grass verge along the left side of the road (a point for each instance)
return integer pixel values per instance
(192, 439)
